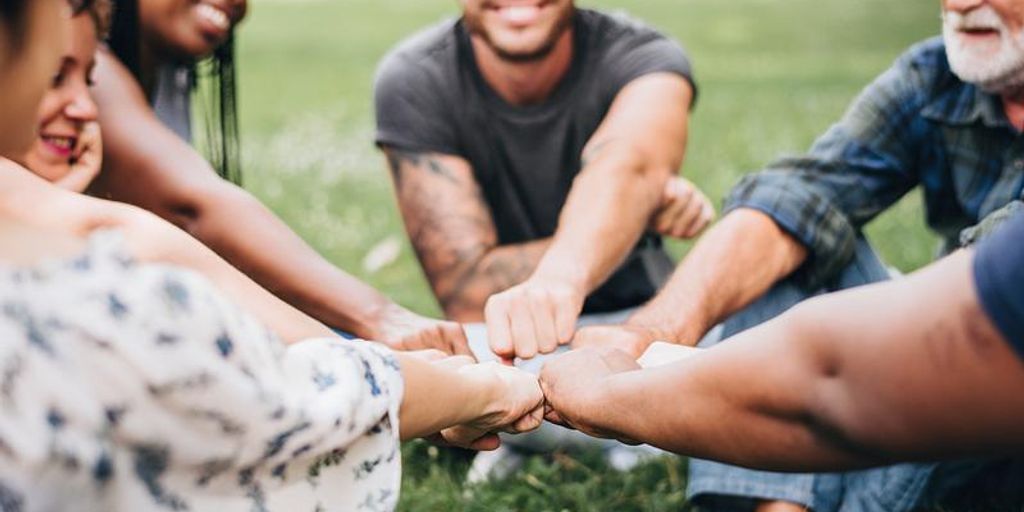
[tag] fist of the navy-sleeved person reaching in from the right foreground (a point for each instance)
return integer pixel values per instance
(573, 388)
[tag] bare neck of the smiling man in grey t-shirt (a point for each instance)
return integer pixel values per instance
(525, 83)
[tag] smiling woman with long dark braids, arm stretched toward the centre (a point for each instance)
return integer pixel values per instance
(159, 51)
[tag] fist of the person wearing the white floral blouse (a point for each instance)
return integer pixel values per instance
(517, 405)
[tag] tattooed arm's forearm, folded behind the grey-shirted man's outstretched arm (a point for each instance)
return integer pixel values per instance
(464, 293)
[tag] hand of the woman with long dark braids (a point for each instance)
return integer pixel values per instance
(405, 331)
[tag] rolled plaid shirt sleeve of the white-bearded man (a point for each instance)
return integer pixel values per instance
(860, 168)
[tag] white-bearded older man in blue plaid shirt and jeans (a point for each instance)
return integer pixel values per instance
(948, 118)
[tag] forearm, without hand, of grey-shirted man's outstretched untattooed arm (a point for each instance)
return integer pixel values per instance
(606, 215)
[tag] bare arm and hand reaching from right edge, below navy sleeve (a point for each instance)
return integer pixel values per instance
(904, 371)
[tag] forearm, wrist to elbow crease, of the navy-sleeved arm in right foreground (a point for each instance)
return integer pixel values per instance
(729, 405)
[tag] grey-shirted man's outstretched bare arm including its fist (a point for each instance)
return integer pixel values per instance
(627, 164)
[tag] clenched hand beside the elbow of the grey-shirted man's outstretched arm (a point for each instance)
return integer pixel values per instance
(685, 212)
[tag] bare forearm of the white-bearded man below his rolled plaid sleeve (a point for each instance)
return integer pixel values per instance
(736, 263)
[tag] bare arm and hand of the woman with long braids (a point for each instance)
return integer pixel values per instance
(147, 165)
